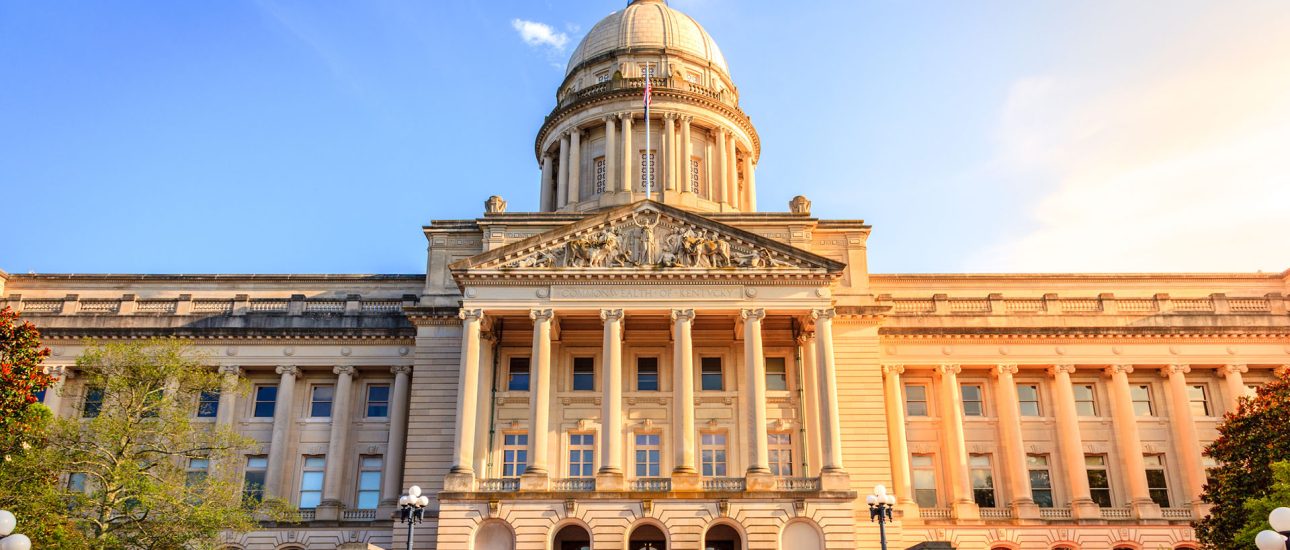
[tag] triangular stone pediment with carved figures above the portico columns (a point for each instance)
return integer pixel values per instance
(648, 238)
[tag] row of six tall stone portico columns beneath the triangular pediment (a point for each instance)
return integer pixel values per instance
(473, 423)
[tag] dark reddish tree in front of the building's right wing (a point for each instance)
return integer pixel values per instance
(1249, 443)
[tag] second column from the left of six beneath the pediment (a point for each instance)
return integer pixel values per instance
(536, 477)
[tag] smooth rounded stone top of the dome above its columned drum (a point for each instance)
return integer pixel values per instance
(648, 24)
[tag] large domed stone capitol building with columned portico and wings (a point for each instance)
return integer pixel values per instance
(684, 369)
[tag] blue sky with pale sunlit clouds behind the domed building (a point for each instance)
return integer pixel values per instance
(319, 137)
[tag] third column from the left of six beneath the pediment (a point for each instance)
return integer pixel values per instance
(611, 476)
